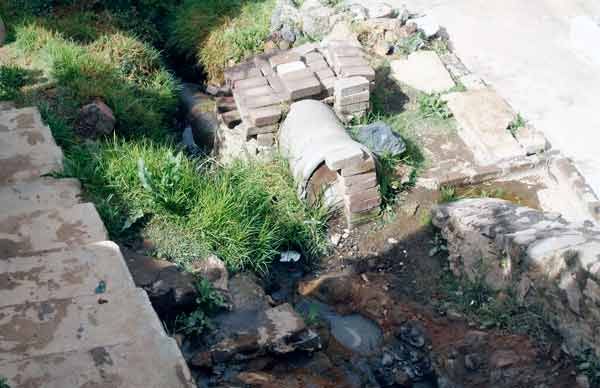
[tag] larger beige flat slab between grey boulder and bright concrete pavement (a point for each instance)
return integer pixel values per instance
(483, 118)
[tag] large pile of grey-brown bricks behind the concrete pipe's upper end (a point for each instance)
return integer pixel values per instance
(264, 87)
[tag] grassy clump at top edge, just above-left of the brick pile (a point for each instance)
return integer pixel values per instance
(220, 32)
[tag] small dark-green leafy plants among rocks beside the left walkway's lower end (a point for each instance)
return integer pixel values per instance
(208, 303)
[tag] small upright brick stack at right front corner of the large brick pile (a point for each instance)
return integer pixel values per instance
(351, 97)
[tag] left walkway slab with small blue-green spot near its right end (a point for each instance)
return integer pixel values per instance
(75, 271)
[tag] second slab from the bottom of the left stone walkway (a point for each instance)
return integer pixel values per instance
(80, 323)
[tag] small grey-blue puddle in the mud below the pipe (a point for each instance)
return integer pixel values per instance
(353, 331)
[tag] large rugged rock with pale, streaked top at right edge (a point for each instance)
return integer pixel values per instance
(541, 257)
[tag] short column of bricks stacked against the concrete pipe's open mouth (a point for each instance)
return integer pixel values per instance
(357, 182)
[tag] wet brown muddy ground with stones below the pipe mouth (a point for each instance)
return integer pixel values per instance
(386, 273)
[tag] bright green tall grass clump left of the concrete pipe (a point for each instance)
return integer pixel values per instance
(246, 213)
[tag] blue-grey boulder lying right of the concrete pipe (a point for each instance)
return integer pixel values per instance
(380, 139)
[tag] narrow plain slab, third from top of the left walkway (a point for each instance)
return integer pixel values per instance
(40, 194)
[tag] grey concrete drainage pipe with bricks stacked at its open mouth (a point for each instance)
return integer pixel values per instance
(325, 160)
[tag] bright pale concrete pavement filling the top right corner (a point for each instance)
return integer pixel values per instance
(540, 55)
